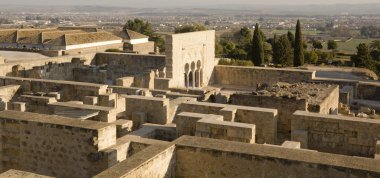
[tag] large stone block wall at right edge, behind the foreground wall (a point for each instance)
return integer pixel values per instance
(336, 134)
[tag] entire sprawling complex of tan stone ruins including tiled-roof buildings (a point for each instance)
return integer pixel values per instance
(90, 113)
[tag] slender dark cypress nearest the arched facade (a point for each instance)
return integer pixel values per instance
(258, 47)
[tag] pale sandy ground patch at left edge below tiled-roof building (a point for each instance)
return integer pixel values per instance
(21, 56)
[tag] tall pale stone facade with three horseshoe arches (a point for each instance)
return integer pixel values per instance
(190, 59)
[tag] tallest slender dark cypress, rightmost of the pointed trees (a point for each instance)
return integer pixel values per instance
(298, 47)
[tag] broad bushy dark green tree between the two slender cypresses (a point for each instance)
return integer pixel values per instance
(283, 52)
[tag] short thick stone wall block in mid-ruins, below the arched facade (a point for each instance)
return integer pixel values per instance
(156, 109)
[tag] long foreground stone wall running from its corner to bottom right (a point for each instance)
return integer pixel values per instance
(201, 157)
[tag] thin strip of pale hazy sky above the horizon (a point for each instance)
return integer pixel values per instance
(163, 3)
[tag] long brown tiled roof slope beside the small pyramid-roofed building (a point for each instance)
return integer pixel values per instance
(83, 38)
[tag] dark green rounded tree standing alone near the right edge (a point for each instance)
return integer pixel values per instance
(362, 57)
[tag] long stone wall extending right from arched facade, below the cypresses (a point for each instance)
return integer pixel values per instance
(252, 76)
